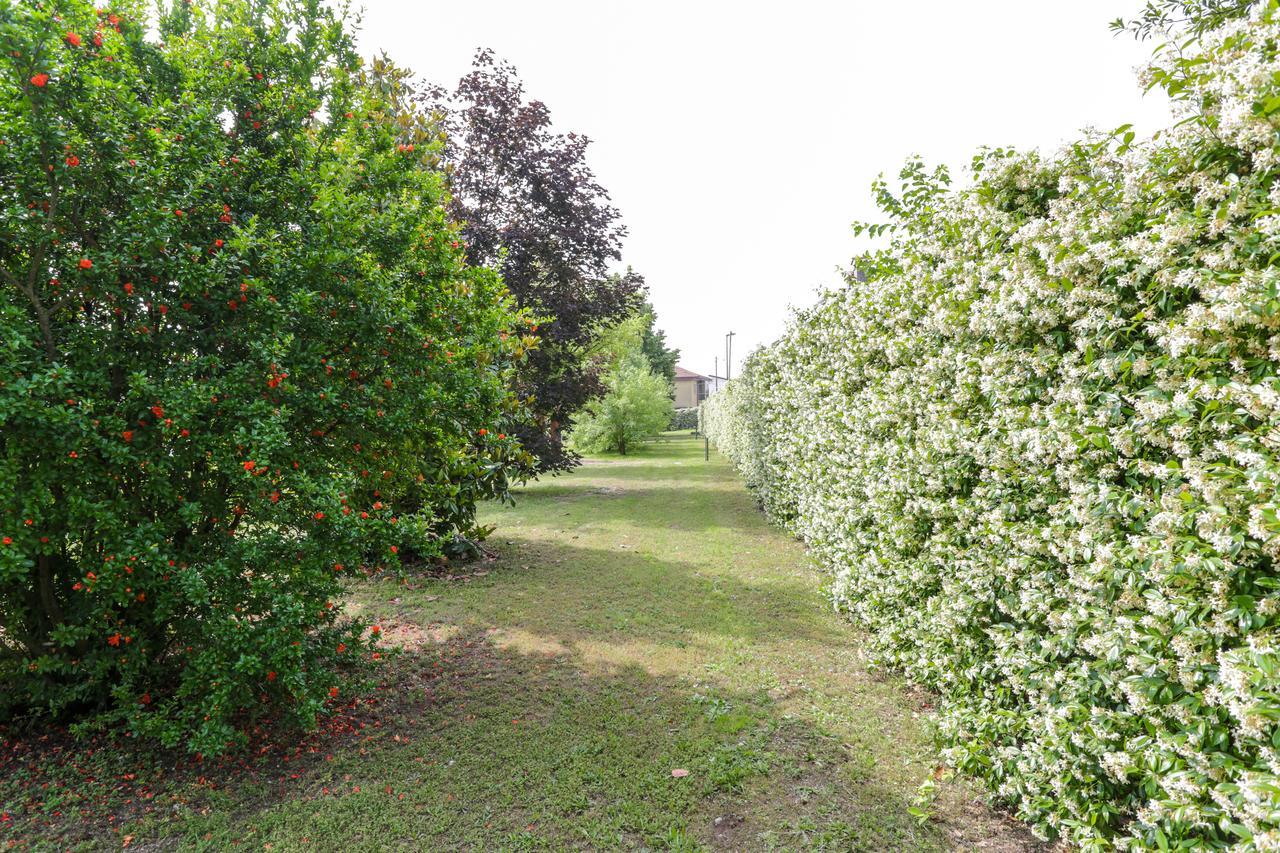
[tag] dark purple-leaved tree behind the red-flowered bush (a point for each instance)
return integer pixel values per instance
(532, 207)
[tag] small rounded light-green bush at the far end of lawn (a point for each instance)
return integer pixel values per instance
(637, 407)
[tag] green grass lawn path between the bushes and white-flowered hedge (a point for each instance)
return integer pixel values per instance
(641, 618)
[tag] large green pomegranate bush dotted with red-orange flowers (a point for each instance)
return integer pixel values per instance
(237, 340)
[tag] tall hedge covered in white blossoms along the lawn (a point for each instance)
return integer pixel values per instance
(1040, 450)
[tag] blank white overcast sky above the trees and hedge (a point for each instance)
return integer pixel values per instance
(740, 139)
